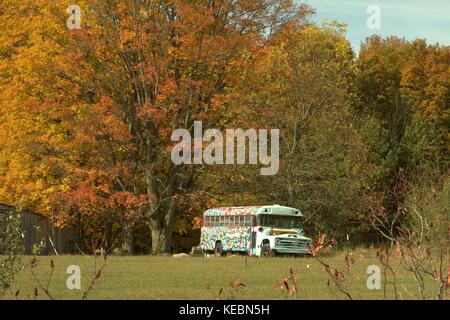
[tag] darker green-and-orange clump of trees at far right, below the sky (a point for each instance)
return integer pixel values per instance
(403, 88)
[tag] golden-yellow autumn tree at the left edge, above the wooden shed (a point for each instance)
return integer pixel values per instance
(32, 136)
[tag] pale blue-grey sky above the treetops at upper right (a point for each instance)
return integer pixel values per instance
(427, 19)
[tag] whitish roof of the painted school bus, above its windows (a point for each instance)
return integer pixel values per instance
(253, 210)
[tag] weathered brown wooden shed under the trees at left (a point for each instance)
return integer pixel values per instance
(39, 231)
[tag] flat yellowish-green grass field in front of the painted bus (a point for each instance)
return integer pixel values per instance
(146, 277)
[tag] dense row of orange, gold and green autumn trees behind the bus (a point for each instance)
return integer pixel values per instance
(86, 118)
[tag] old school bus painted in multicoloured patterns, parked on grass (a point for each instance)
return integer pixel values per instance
(258, 231)
